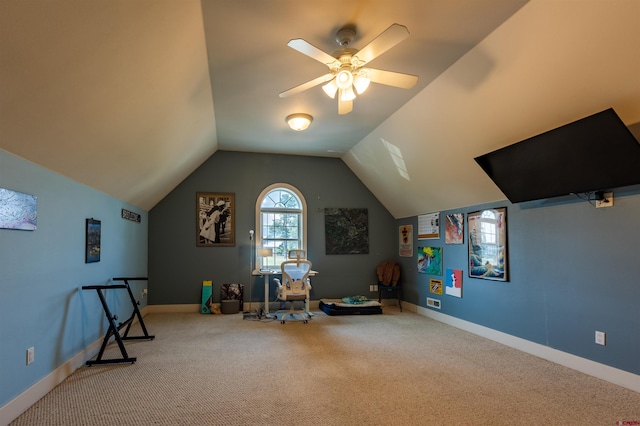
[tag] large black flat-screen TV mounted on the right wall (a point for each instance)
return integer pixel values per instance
(596, 153)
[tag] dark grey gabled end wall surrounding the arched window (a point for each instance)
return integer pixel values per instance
(177, 266)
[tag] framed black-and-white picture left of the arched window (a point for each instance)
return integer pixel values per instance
(215, 224)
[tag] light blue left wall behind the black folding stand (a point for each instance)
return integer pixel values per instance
(42, 271)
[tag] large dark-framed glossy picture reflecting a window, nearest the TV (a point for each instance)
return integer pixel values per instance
(488, 244)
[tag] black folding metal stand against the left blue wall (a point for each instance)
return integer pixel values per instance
(114, 330)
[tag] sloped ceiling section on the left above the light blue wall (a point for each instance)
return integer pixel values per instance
(115, 94)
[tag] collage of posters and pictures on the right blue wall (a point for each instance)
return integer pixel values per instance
(487, 247)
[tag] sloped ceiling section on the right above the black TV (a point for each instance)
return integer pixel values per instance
(552, 63)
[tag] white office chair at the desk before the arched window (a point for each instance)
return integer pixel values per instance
(295, 286)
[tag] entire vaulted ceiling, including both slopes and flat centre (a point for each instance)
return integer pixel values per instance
(129, 97)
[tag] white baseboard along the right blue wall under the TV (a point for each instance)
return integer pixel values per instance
(592, 368)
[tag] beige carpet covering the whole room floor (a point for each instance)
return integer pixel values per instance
(390, 369)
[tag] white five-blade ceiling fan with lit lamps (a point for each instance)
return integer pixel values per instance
(347, 69)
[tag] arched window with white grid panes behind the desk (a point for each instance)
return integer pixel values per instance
(281, 223)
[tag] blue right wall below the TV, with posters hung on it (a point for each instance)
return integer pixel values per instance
(573, 270)
